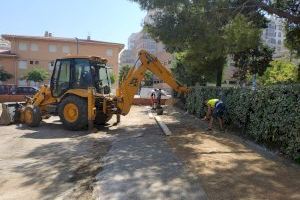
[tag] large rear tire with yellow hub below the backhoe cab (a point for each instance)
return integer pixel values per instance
(73, 113)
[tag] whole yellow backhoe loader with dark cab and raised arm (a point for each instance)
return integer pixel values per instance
(80, 95)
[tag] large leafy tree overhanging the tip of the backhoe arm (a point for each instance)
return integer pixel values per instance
(197, 29)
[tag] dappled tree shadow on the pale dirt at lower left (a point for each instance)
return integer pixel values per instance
(58, 166)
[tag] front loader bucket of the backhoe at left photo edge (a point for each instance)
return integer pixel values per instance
(9, 112)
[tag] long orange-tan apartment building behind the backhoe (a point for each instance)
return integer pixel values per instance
(28, 52)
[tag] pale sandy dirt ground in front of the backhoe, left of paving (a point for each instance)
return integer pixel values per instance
(49, 162)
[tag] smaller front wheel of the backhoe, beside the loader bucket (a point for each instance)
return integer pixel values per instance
(32, 116)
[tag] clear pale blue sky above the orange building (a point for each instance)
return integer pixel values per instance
(104, 20)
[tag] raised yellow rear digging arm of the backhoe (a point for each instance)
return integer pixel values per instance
(131, 83)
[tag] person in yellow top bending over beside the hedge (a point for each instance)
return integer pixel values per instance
(215, 109)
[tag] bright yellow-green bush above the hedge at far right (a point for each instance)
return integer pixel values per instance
(280, 72)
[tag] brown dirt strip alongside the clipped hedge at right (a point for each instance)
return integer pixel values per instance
(228, 166)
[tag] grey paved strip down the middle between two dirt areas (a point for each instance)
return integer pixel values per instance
(140, 165)
